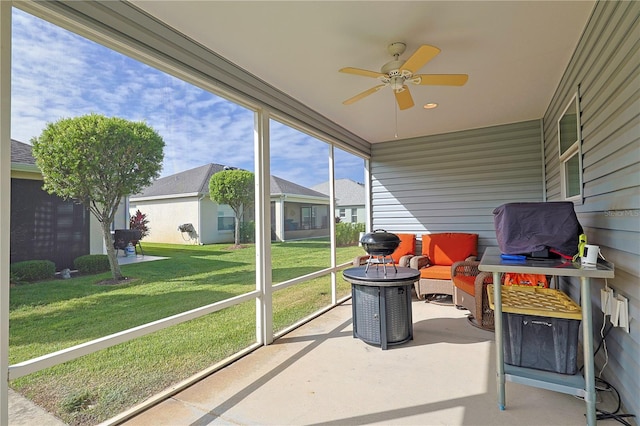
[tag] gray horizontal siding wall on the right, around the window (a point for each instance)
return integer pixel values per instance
(605, 67)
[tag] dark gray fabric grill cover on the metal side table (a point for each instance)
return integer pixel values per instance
(523, 228)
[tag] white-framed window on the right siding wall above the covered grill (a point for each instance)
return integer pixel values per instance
(570, 150)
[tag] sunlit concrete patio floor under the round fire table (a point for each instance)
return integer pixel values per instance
(321, 374)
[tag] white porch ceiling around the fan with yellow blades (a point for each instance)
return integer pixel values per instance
(513, 51)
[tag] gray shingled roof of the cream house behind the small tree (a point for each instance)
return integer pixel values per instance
(196, 181)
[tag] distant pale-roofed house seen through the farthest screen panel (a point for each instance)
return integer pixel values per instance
(350, 200)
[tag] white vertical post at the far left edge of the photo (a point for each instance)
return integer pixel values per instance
(5, 201)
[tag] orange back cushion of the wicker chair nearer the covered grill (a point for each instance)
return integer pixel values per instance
(449, 247)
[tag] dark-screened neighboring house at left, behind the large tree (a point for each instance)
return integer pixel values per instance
(44, 226)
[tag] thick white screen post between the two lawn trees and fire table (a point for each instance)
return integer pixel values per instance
(264, 303)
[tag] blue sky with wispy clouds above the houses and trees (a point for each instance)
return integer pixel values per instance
(58, 74)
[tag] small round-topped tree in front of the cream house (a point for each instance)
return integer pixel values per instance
(235, 188)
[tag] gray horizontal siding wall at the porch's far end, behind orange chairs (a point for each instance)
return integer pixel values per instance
(452, 182)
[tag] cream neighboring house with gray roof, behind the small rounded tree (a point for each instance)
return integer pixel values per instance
(179, 210)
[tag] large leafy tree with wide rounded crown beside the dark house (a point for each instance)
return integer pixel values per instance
(97, 160)
